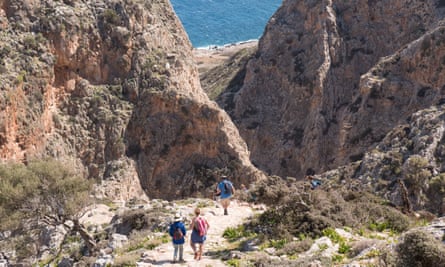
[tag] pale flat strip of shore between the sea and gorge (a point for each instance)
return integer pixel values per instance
(208, 58)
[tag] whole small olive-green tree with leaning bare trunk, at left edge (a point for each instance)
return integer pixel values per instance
(43, 193)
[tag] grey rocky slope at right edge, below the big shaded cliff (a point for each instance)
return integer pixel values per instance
(412, 153)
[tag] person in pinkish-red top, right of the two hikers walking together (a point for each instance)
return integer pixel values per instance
(199, 227)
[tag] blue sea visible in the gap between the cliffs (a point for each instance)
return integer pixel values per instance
(211, 23)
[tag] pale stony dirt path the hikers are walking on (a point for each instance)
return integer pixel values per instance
(238, 213)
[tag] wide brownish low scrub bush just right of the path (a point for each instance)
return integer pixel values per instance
(310, 212)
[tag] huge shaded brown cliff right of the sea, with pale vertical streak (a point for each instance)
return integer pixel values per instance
(330, 78)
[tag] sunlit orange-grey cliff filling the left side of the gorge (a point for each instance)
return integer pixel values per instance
(111, 87)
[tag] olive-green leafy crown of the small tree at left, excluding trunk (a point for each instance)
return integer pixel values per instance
(38, 189)
